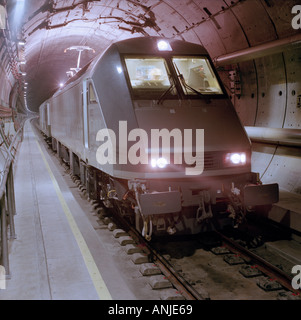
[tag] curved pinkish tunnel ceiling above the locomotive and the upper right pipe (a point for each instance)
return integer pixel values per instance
(49, 28)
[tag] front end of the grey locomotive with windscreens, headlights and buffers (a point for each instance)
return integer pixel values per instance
(189, 157)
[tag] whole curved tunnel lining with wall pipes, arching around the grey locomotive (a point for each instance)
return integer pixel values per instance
(254, 44)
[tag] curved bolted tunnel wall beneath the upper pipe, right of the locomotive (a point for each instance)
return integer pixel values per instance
(270, 89)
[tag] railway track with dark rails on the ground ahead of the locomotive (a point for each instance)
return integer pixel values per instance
(273, 282)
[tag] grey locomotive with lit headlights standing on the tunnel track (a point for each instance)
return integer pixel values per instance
(149, 129)
